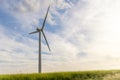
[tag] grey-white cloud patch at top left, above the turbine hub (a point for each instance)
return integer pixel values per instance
(28, 13)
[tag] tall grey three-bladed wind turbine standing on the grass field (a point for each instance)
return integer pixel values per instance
(41, 31)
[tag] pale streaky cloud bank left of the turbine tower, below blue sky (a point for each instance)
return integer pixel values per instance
(15, 55)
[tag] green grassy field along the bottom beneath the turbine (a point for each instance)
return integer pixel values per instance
(83, 75)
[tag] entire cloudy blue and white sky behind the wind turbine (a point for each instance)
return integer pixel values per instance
(82, 34)
